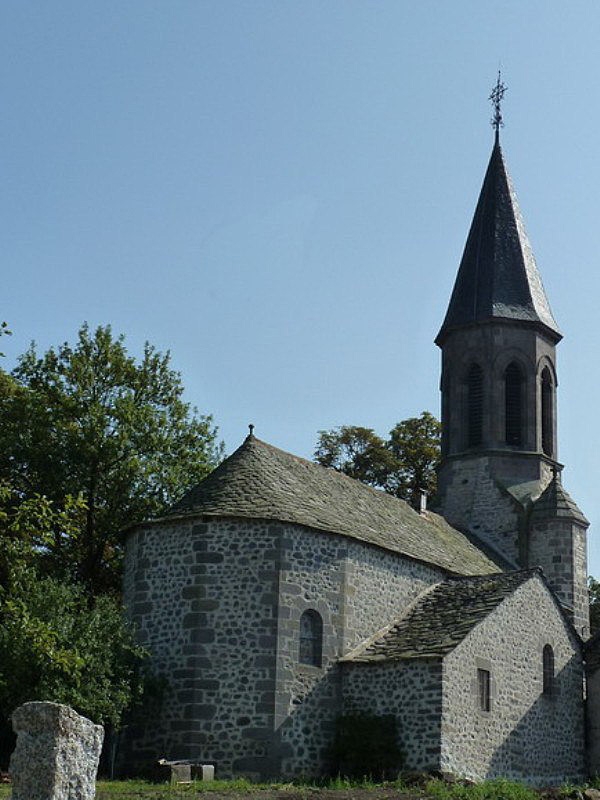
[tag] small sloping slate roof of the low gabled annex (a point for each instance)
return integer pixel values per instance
(440, 618)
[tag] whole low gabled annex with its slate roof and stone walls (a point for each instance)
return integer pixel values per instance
(494, 690)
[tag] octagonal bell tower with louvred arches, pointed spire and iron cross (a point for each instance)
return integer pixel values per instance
(499, 477)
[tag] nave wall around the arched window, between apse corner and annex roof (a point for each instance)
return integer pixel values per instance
(357, 589)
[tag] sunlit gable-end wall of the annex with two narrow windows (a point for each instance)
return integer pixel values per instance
(526, 735)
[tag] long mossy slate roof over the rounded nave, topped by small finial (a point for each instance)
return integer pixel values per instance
(260, 481)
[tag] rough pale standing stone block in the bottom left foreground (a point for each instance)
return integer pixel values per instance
(57, 753)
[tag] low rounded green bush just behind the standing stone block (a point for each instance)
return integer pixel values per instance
(56, 645)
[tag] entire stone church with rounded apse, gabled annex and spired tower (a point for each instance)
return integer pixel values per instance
(279, 594)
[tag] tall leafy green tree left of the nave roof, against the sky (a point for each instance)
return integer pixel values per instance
(91, 421)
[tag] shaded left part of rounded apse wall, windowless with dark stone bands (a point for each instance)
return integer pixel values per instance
(204, 598)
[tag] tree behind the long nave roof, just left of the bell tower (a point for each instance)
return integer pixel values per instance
(401, 465)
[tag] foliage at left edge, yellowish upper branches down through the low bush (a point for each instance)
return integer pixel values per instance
(57, 643)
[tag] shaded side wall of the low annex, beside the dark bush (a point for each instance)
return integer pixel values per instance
(410, 690)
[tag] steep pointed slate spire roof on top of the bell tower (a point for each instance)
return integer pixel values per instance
(498, 277)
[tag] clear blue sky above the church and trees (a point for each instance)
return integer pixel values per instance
(279, 193)
